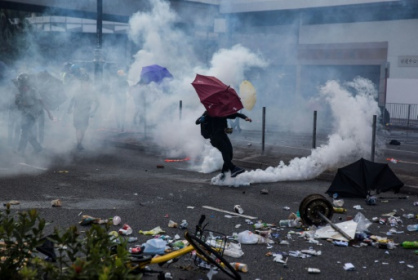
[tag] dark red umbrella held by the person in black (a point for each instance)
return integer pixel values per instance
(219, 99)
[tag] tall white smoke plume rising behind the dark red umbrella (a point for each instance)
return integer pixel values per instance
(158, 103)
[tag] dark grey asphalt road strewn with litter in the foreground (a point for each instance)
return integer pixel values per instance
(146, 192)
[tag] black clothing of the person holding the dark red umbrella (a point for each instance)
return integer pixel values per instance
(220, 140)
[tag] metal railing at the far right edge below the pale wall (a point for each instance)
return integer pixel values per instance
(401, 115)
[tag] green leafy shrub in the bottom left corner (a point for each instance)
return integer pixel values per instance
(93, 255)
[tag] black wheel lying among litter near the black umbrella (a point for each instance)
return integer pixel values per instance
(311, 205)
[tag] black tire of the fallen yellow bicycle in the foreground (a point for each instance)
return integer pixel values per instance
(211, 256)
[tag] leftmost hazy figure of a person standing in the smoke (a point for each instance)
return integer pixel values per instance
(30, 106)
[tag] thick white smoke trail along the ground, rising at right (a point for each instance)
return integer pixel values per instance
(353, 113)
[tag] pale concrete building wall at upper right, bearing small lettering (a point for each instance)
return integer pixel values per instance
(402, 38)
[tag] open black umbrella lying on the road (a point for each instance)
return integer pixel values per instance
(361, 177)
